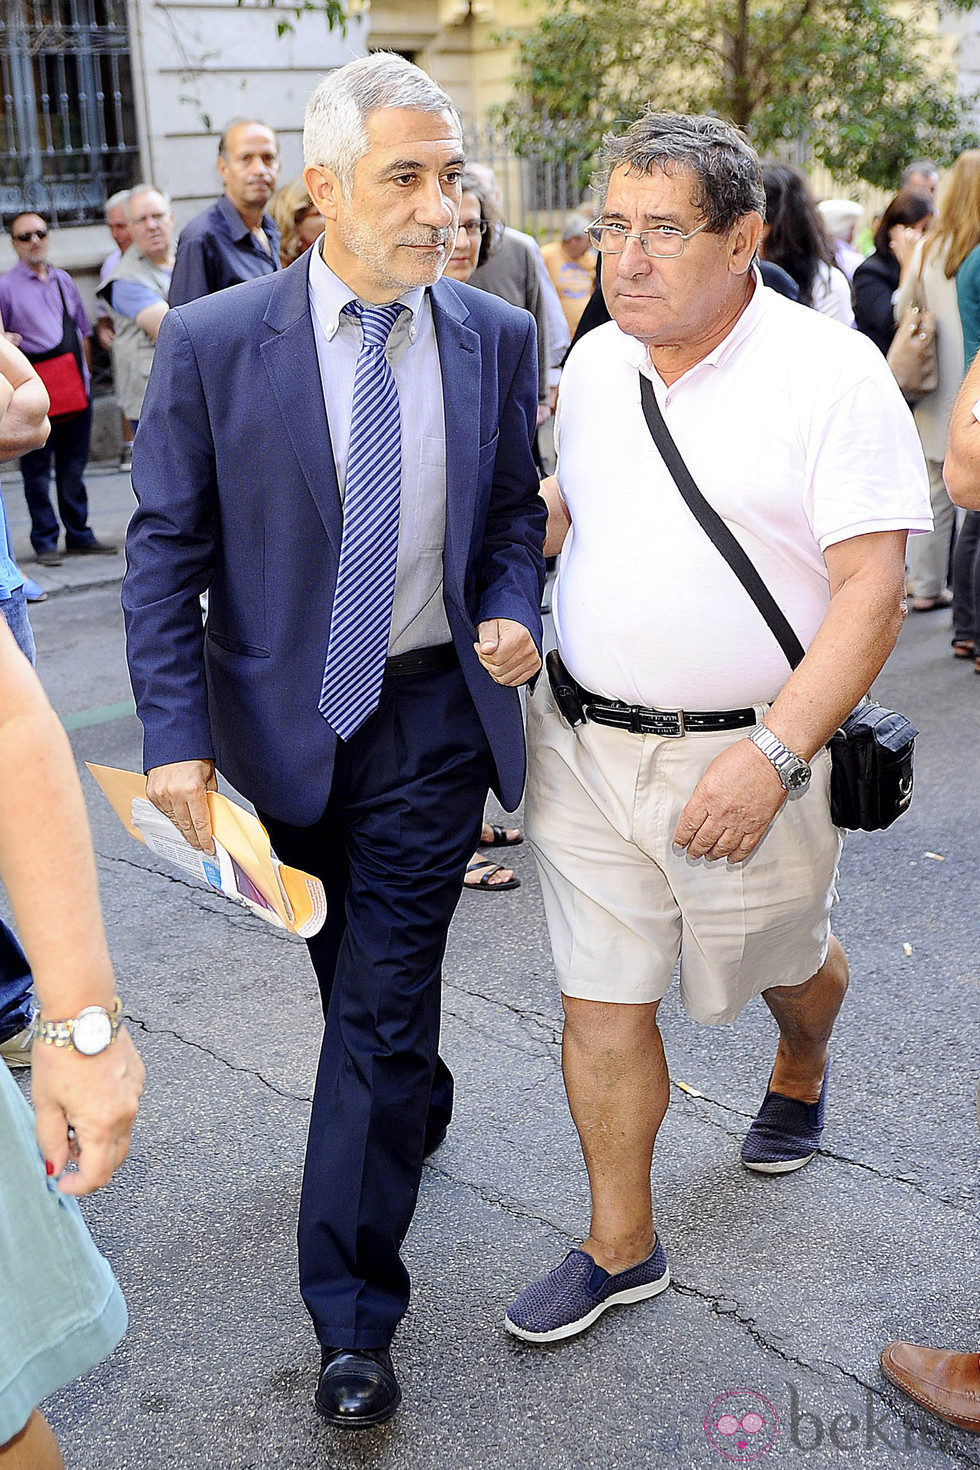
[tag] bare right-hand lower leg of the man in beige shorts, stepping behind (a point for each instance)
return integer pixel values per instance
(806, 1015)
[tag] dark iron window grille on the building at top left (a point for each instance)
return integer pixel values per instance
(68, 132)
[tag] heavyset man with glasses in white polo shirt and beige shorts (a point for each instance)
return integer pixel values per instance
(662, 825)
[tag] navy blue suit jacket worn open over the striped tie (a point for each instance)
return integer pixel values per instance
(237, 493)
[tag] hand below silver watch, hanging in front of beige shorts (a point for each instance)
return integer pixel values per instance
(732, 805)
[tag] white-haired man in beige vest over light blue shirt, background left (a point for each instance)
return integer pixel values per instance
(136, 292)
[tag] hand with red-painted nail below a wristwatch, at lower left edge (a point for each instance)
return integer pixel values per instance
(96, 1097)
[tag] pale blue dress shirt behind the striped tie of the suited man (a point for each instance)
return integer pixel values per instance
(418, 617)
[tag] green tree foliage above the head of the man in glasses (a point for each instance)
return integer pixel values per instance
(859, 83)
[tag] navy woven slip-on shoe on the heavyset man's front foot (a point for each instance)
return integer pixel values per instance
(571, 1297)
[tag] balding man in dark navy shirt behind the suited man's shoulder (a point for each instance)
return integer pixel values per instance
(234, 240)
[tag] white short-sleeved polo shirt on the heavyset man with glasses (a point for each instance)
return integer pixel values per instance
(797, 434)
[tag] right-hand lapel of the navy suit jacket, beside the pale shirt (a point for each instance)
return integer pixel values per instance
(462, 370)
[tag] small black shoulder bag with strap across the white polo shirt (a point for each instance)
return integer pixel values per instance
(872, 753)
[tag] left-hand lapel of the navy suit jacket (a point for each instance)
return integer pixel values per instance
(295, 373)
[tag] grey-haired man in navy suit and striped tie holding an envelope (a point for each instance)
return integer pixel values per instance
(342, 456)
